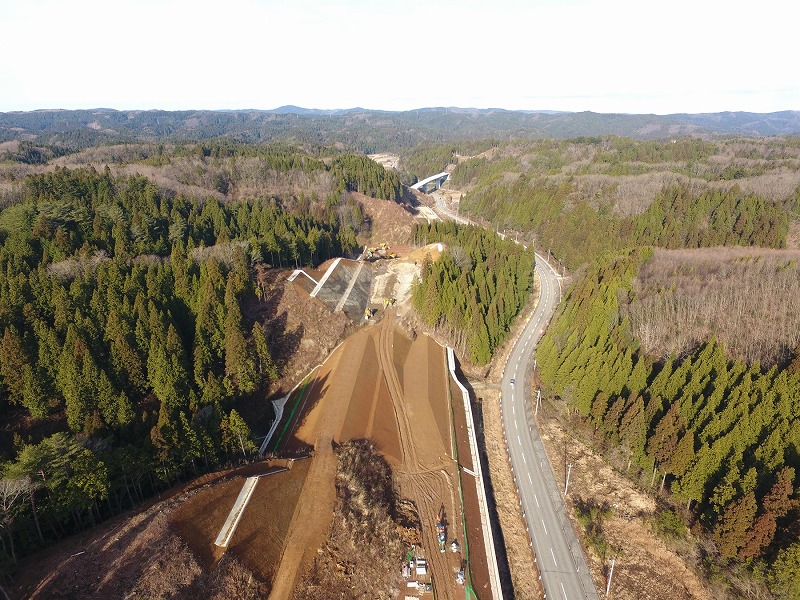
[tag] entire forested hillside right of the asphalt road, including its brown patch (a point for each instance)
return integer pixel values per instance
(676, 345)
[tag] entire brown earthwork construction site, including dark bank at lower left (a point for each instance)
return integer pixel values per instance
(295, 523)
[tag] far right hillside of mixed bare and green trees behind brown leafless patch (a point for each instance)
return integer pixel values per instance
(587, 197)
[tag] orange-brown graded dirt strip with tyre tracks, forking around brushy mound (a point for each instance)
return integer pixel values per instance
(383, 386)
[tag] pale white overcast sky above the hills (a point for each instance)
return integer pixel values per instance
(617, 56)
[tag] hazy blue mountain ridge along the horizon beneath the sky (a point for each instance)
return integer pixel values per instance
(373, 130)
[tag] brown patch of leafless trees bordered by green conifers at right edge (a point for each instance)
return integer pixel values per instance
(749, 298)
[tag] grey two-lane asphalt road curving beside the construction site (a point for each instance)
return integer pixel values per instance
(559, 556)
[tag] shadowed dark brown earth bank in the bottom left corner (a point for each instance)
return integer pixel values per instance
(139, 555)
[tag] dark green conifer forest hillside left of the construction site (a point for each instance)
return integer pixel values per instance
(125, 347)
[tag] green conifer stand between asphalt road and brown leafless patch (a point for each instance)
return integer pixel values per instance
(722, 435)
